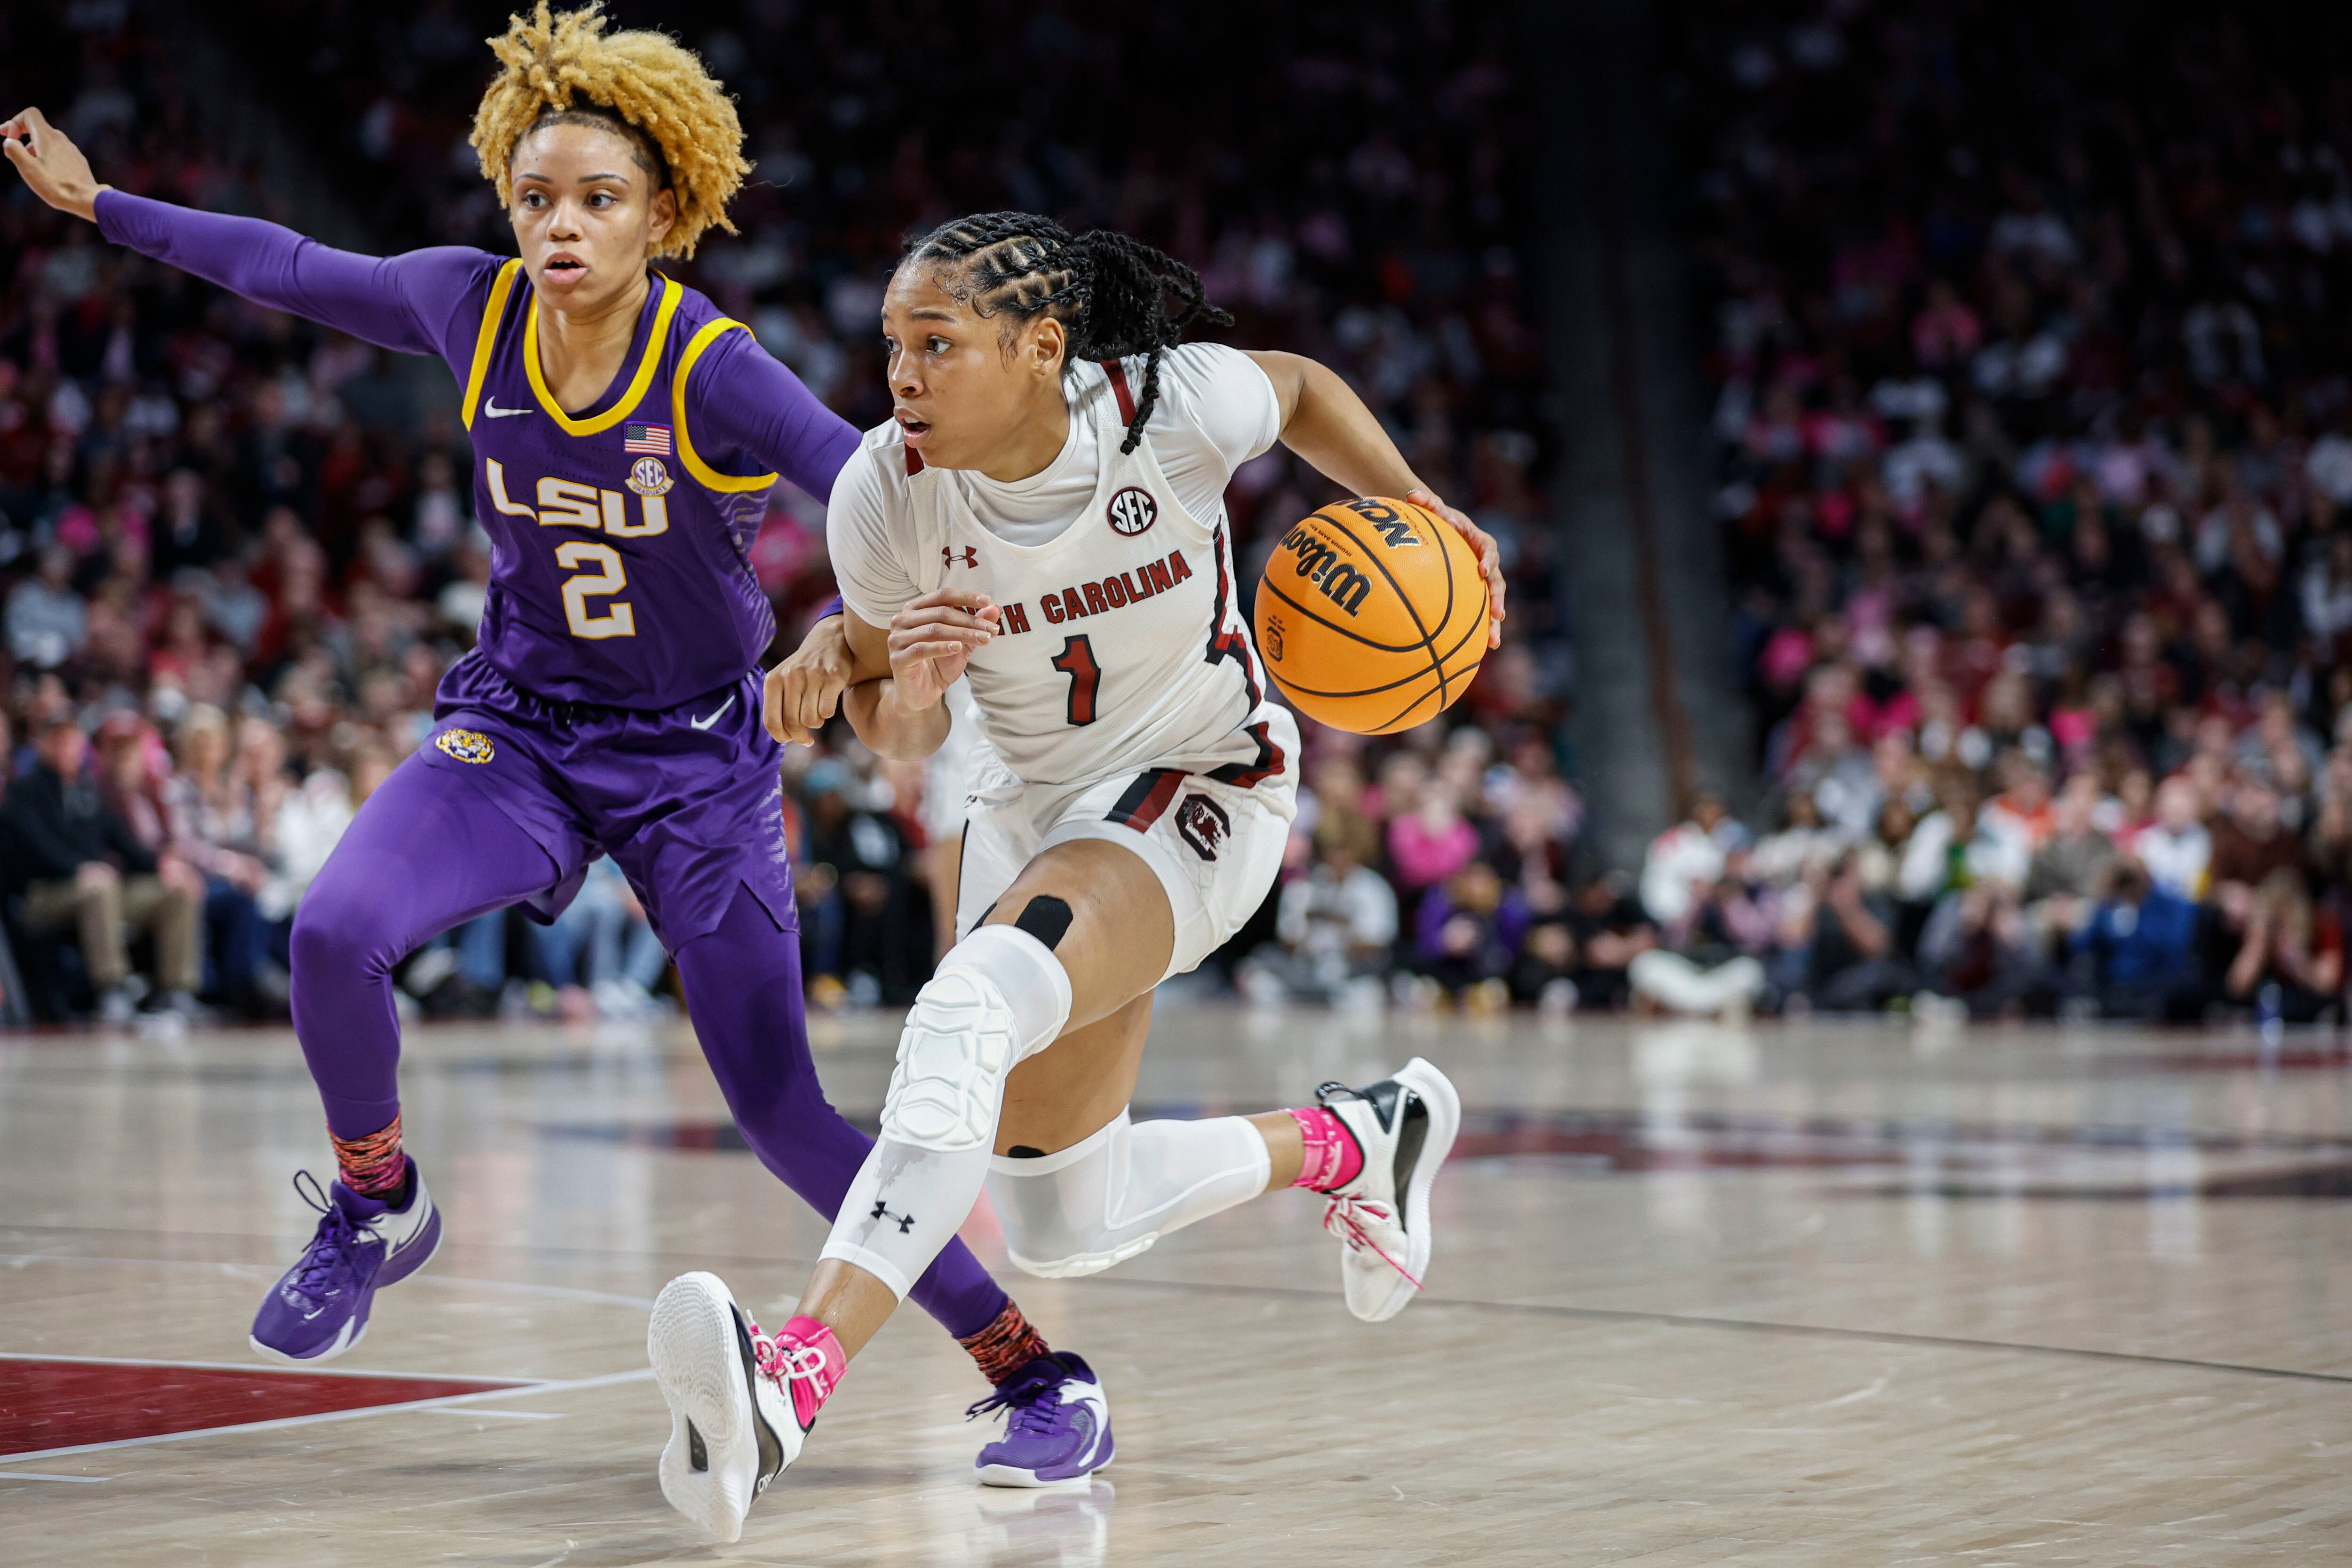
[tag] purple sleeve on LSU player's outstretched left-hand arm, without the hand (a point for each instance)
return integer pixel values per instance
(396, 302)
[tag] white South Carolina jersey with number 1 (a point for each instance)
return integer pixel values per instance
(1125, 643)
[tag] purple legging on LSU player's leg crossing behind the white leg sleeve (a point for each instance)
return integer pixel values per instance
(747, 1003)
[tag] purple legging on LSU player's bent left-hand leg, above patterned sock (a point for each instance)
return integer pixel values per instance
(425, 855)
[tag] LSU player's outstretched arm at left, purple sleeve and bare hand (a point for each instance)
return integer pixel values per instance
(370, 297)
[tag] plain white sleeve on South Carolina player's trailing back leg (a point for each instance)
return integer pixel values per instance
(1109, 1198)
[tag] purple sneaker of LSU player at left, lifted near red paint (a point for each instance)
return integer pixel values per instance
(319, 1308)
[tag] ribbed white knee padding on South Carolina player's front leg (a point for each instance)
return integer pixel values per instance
(998, 998)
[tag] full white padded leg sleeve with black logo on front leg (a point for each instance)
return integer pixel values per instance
(998, 998)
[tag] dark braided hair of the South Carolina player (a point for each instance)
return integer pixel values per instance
(1109, 290)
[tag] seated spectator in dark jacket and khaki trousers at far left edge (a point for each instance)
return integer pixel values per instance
(76, 866)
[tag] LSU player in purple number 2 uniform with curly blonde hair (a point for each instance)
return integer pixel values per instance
(624, 441)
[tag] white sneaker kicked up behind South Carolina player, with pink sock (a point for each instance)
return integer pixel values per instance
(1405, 1130)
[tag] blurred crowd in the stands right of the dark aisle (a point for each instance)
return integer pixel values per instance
(2033, 396)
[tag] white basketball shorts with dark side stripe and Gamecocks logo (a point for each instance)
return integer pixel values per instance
(1215, 845)
